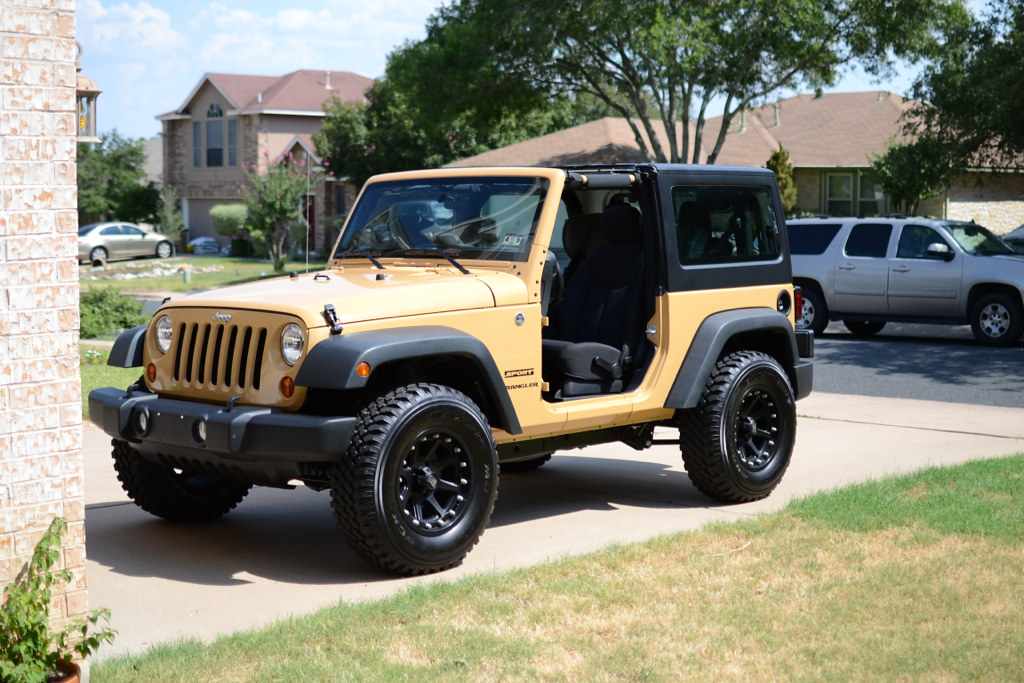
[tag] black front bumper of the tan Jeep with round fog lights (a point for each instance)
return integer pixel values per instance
(266, 445)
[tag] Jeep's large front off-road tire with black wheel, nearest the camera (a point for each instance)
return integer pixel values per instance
(417, 487)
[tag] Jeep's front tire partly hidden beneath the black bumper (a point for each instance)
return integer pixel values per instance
(177, 496)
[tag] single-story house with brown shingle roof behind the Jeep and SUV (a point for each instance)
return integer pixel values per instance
(831, 140)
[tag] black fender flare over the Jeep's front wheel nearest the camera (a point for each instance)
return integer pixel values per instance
(332, 363)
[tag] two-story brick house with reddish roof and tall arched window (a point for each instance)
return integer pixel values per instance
(232, 123)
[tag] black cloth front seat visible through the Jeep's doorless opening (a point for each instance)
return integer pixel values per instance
(600, 324)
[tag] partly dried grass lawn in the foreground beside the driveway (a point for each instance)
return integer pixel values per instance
(916, 578)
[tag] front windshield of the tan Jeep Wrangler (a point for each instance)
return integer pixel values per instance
(491, 219)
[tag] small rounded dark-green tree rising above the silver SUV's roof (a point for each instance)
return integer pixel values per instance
(912, 173)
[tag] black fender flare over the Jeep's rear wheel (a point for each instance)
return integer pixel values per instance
(775, 334)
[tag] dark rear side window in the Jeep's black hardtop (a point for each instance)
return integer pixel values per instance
(724, 225)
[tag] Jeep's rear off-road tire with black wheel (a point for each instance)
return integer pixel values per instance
(738, 442)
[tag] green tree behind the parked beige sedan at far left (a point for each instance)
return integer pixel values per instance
(110, 183)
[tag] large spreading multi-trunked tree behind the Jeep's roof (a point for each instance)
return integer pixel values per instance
(663, 63)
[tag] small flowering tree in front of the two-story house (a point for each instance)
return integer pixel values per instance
(275, 203)
